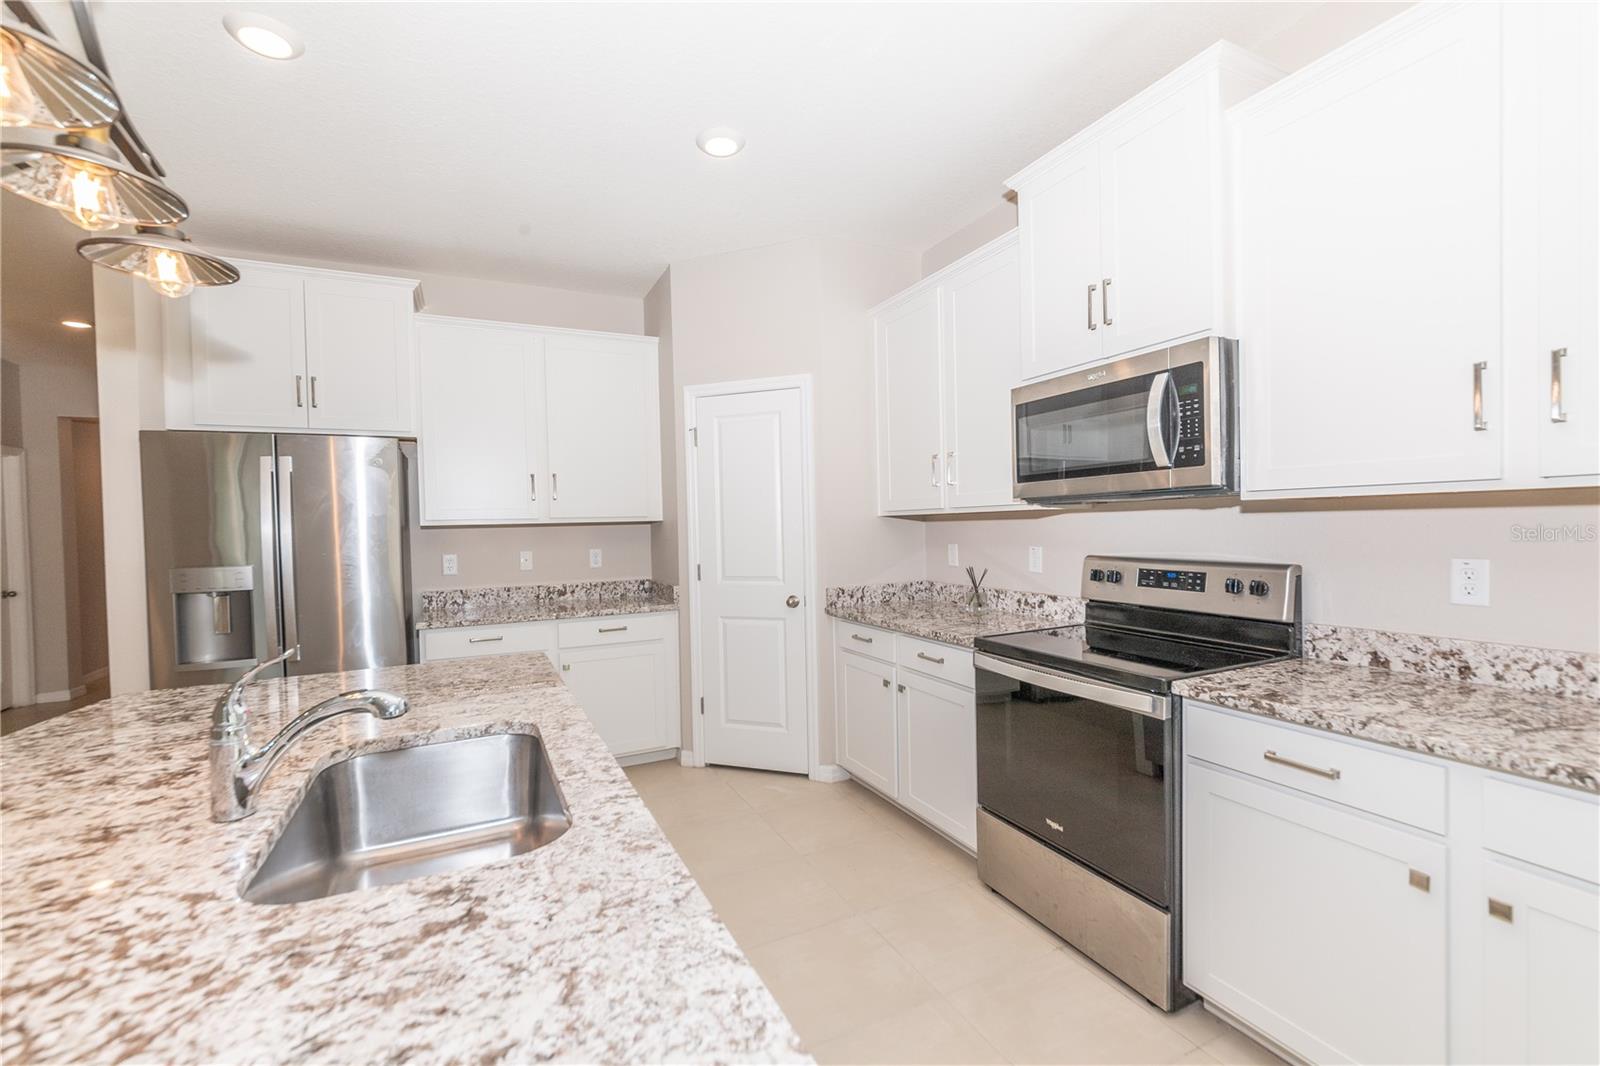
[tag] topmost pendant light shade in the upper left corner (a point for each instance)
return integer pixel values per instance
(44, 87)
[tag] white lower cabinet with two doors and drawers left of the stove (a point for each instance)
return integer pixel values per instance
(905, 732)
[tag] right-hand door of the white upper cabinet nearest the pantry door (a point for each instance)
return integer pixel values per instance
(602, 423)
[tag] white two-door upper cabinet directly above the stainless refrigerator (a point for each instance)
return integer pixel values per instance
(292, 348)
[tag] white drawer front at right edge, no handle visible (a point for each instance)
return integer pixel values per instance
(1550, 830)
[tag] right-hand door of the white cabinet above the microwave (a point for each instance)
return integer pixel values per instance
(1159, 222)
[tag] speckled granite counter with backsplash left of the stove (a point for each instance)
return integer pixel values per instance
(938, 612)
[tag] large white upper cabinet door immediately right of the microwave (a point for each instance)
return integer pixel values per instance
(1370, 263)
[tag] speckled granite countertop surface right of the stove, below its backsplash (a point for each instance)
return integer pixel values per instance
(1538, 735)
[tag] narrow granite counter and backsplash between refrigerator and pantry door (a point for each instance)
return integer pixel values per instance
(500, 606)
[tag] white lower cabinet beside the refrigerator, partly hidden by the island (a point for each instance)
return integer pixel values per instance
(625, 670)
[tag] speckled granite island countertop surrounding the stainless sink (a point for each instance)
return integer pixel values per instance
(126, 936)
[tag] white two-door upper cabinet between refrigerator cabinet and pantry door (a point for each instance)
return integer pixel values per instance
(526, 425)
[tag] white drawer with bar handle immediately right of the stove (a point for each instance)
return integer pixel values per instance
(1393, 787)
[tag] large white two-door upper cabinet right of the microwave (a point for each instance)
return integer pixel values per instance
(1417, 258)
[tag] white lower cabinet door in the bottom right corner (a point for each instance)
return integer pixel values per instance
(1542, 968)
